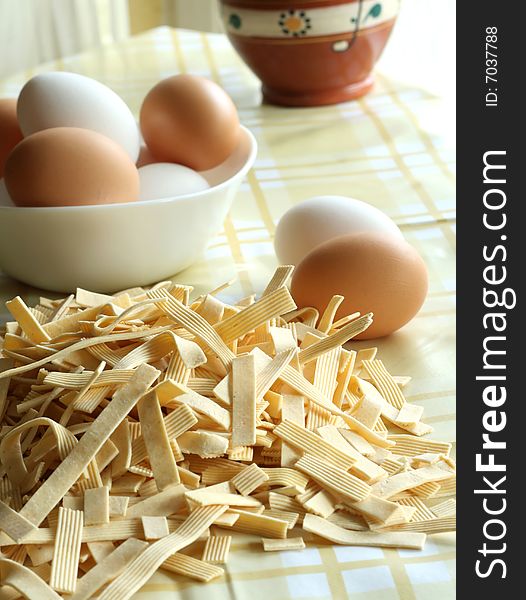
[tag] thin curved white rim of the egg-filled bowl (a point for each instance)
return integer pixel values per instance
(122, 205)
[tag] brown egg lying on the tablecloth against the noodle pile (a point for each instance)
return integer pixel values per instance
(374, 272)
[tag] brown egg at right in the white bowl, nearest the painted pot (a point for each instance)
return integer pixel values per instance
(189, 120)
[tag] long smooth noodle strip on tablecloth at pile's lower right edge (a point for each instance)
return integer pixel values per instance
(338, 535)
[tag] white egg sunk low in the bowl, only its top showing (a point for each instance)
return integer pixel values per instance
(167, 180)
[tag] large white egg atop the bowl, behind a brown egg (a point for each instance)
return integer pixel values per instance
(60, 99)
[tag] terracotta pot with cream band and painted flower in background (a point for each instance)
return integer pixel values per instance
(310, 52)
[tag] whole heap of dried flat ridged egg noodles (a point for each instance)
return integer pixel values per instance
(140, 430)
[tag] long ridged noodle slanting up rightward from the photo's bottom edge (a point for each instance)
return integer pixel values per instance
(143, 567)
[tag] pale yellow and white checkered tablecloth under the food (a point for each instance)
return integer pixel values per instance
(391, 149)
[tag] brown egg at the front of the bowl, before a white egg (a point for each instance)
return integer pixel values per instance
(68, 166)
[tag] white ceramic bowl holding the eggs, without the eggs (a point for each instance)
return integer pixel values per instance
(111, 247)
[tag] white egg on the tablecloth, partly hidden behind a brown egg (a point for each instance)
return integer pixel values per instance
(319, 219)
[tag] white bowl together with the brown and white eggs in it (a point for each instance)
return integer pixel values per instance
(89, 198)
